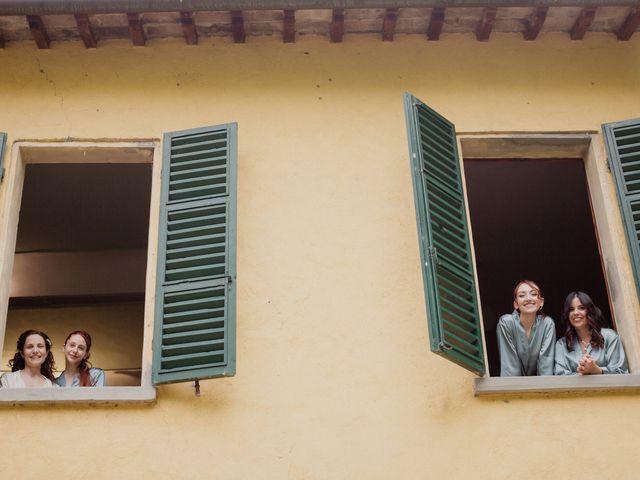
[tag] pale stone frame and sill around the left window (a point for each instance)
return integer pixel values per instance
(30, 152)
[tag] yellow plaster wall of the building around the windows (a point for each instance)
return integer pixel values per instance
(334, 376)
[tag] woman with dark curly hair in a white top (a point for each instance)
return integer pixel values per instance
(32, 365)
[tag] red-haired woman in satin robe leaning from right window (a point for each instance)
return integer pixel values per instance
(526, 337)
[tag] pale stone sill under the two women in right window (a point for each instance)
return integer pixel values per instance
(561, 384)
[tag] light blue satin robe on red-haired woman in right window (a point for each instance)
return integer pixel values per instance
(522, 356)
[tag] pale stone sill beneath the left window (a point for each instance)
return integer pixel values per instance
(77, 396)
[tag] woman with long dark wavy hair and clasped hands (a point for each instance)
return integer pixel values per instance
(587, 348)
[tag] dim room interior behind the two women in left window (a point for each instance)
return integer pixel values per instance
(80, 261)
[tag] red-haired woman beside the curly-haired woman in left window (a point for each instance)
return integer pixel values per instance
(78, 372)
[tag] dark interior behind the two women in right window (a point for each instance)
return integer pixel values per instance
(531, 219)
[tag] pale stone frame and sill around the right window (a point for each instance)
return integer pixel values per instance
(590, 147)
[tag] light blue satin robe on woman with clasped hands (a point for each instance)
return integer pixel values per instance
(611, 358)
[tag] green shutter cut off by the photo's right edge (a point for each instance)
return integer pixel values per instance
(623, 147)
